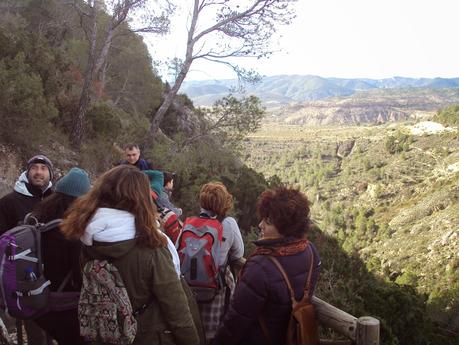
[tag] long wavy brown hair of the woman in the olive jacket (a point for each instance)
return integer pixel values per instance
(124, 188)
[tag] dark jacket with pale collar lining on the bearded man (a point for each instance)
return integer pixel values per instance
(15, 205)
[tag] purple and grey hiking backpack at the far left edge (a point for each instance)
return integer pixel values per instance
(24, 290)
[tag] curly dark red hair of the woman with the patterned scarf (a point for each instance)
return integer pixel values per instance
(287, 209)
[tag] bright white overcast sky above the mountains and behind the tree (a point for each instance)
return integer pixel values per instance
(347, 39)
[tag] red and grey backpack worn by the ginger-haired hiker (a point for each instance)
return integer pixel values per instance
(199, 247)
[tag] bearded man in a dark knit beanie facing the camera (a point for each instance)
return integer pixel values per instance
(32, 186)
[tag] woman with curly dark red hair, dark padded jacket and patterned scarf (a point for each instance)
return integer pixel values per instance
(260, 309)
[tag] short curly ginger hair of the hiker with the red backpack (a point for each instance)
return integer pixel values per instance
(215, 197)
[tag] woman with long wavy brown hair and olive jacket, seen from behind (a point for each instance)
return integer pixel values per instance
(117, 221)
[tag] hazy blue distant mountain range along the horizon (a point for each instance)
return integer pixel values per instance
(281, 90)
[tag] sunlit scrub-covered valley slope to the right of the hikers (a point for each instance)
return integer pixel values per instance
(389, 194)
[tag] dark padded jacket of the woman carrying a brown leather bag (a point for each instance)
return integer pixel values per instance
(262, 292)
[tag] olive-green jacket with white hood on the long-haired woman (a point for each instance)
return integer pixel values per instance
(150, 278)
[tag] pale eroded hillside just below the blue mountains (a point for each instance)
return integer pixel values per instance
(369, 107)
